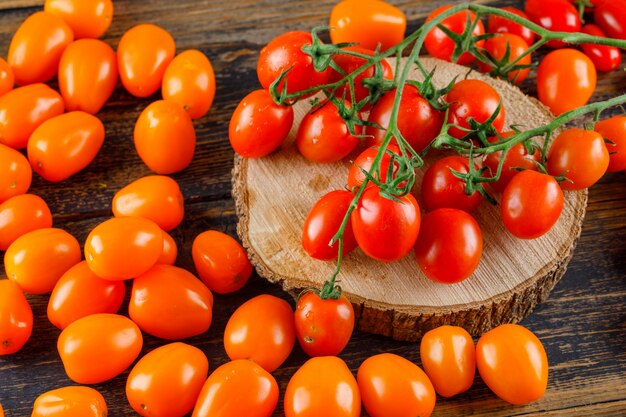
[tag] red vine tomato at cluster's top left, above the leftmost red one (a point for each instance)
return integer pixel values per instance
(286, 52)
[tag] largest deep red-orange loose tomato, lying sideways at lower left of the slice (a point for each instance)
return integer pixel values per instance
(171, 303)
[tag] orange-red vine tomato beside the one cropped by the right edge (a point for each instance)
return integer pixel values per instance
(579, 154)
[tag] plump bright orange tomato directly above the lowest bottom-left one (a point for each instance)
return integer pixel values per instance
(99, 347)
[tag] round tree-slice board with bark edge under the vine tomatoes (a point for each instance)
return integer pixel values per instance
(274, 194)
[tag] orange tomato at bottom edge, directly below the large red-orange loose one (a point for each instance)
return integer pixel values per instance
(167, 381)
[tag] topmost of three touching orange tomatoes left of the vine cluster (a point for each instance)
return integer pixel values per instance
(143, 54)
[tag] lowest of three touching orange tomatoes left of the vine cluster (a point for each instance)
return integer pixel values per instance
(164, 137)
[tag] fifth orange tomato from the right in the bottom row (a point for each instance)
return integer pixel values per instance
(256, 391)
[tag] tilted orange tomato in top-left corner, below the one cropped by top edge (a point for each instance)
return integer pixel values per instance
(37, 46)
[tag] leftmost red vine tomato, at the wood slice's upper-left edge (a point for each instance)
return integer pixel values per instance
(259, 126)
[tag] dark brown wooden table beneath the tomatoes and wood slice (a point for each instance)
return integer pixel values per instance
(582, 324)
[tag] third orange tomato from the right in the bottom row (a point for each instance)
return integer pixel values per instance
(393, 386)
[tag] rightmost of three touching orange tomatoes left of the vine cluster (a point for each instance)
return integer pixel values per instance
(189, 80)
